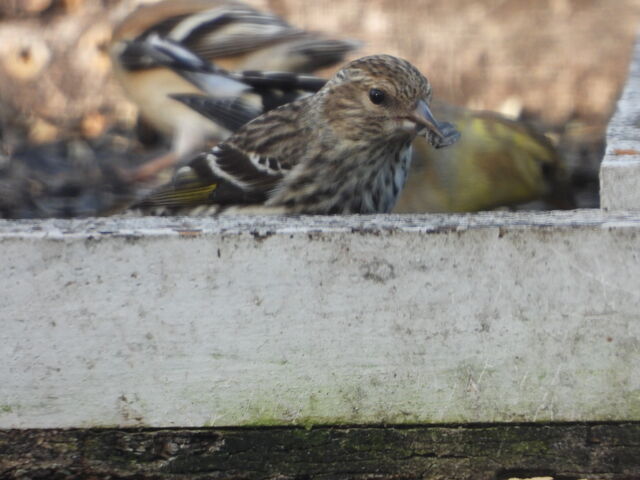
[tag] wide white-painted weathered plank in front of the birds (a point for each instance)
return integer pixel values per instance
(362, 320)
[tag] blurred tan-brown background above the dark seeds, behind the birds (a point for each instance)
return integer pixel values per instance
(560, 63)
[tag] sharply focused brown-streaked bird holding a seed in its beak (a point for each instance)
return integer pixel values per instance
(345, 149)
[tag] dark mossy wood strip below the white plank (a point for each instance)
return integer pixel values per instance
(495, 452)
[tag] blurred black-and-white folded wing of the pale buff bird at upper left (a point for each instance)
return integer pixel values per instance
(229, 30)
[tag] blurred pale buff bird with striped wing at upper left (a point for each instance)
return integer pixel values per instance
(233, 35)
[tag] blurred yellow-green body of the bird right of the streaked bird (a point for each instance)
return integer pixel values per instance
(497, 162)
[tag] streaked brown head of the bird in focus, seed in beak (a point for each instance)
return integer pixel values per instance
(386, 97)
